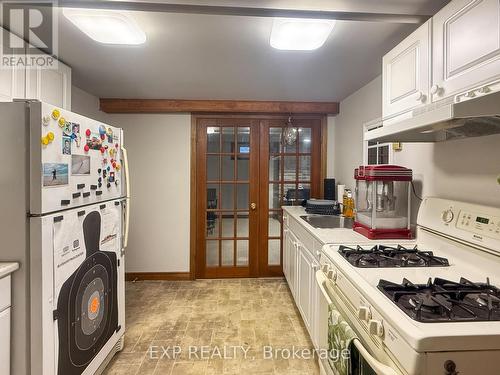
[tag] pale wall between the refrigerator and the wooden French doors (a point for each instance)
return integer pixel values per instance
(159, 158)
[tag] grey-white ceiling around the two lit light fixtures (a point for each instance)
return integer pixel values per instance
(190, 56)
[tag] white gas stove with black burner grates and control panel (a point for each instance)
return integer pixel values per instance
(406, 324)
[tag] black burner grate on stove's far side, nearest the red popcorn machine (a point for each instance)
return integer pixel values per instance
(383, 256)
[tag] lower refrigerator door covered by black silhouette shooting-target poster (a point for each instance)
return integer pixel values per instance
(77, 312)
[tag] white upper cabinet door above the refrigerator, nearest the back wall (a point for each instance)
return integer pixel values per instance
(52, 86)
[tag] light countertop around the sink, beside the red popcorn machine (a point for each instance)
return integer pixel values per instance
(326, 235)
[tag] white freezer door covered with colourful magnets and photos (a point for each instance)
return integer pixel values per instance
(75, 161)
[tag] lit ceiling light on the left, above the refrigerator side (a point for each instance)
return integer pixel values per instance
(106, 26)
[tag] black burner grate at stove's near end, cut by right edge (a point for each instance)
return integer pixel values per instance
(444, 300)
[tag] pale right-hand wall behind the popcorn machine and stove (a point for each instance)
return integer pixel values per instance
(461, 170)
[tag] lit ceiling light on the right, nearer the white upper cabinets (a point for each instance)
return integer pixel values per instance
(300, 34)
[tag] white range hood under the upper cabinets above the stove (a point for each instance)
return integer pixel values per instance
(442, 122)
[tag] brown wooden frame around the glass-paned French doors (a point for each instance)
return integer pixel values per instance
(193, 159)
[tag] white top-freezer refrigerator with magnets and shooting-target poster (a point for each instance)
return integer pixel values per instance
(64, 218)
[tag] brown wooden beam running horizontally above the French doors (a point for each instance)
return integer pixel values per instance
(109, 105)
